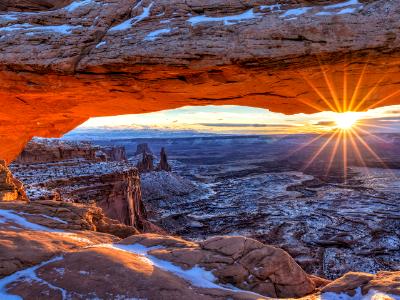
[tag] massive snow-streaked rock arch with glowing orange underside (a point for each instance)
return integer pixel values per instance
(61, 65)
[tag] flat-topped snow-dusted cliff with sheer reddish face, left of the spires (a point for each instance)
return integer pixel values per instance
(74, 172)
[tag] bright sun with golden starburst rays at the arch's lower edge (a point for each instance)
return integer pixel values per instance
(344, 138)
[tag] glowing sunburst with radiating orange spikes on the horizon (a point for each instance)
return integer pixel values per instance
(347, 133)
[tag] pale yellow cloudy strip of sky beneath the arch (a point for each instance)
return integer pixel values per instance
(245, 120)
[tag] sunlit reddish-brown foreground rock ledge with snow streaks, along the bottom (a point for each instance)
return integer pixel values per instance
(58, 251)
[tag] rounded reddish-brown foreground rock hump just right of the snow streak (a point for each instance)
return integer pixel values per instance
(242, 262)
